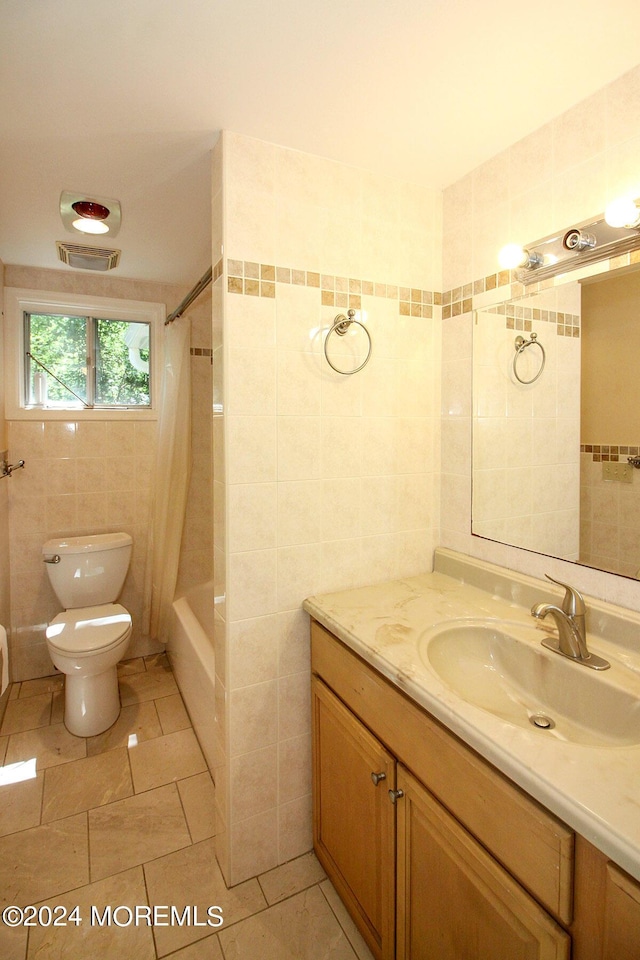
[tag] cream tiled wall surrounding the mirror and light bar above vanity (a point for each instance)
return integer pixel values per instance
(561, 174)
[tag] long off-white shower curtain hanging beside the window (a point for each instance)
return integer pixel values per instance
(173, 466)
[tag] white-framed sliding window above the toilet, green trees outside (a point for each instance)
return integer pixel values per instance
(97, 357)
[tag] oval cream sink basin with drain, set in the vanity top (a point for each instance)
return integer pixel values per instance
(501, 667)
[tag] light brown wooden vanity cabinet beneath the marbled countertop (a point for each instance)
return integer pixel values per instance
(464, 864)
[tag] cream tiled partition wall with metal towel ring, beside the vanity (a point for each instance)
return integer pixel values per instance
(330, 481)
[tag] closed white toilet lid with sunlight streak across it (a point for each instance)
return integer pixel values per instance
(89, 629)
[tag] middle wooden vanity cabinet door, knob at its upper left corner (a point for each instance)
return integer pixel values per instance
(455, 902)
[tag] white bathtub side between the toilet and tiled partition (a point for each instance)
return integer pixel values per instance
(192, 658)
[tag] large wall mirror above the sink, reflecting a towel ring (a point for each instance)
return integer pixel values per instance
(556, 415)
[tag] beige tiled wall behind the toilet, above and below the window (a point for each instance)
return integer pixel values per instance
(79, 477)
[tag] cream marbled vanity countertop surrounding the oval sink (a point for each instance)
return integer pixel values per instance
(593, 789)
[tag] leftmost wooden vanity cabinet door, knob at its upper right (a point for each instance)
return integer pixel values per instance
(354, 820)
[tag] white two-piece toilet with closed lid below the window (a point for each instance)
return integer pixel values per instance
(87, 640)
